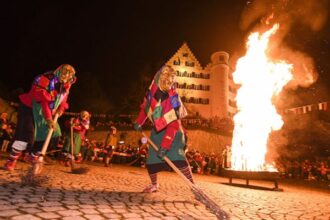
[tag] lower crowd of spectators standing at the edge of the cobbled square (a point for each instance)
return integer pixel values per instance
(200, 162)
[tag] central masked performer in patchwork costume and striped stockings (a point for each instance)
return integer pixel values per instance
(163, 107)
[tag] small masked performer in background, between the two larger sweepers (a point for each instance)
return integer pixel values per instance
(79, 127)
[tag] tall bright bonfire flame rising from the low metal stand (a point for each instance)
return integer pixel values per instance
(260, 79)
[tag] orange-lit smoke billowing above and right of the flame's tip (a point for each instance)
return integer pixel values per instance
(260, 14)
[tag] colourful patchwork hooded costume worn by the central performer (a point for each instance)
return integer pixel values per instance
(164, 110)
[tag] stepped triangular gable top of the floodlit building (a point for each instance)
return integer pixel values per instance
(184, 54)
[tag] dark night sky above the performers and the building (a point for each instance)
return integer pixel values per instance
(112, 43)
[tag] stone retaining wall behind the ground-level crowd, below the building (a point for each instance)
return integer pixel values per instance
(197, 139)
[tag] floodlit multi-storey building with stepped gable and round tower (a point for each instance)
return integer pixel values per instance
(207, 92)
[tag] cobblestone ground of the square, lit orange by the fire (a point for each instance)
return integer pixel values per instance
(115, 193)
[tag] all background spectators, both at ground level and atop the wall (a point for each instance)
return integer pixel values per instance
(200, 162)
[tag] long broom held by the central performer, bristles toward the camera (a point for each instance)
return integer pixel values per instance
(199, 194)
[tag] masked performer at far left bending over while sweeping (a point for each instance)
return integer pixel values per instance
(47, 97)
